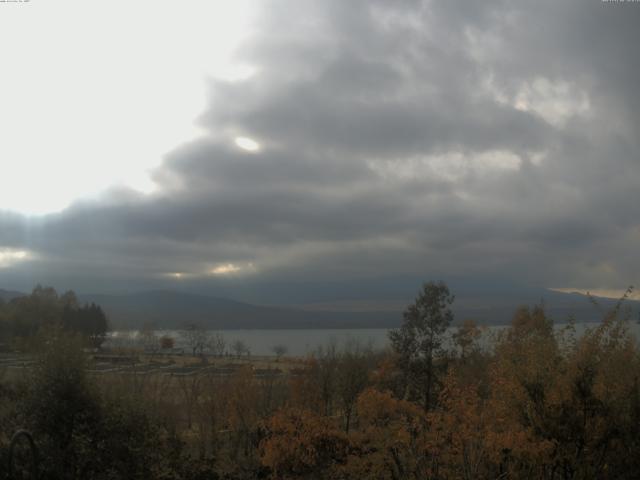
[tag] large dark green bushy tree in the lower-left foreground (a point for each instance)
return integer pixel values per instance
(82, 430)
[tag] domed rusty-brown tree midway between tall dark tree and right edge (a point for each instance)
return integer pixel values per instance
(524, 383)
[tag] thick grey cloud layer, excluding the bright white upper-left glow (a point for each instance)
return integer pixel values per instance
(494, 140)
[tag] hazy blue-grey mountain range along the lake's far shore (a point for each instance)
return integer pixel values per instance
(172, 309)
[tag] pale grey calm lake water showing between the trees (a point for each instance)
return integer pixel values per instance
(303, 342)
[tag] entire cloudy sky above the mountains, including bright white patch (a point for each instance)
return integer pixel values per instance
(301, 151)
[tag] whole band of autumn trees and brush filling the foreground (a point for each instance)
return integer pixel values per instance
(538, 403)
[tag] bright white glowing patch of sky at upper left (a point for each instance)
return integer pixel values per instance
(87, 108)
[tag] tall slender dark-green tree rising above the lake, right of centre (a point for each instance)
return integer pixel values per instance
(419, 340)
